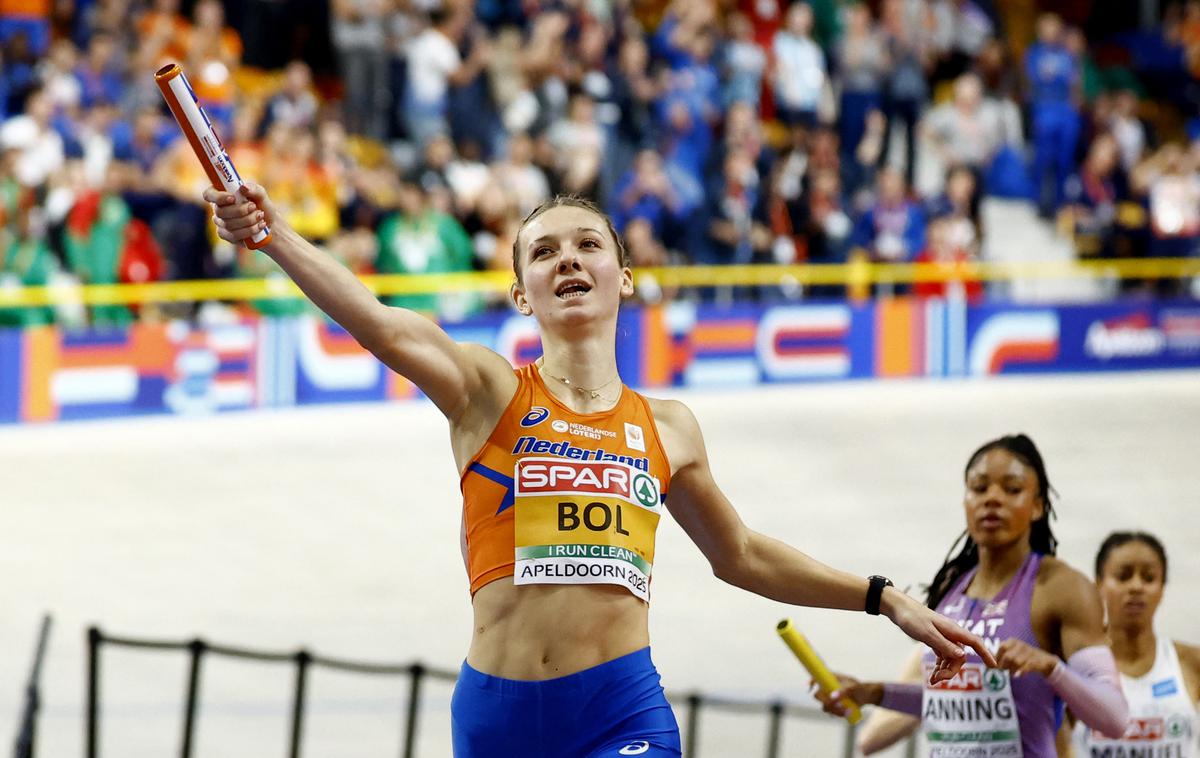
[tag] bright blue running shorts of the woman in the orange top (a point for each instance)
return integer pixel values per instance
(608, 712)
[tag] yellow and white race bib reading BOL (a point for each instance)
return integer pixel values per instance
(585, 524)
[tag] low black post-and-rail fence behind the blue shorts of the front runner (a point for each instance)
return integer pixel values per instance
(692, 706)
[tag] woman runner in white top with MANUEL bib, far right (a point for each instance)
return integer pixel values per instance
(1161, 678)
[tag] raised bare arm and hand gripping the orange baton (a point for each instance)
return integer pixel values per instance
(453, 376)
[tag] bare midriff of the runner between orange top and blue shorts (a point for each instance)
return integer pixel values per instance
(543, 631)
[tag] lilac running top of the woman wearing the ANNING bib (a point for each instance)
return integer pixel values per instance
(1004, 617)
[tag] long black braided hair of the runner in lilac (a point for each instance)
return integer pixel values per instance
(1042, 539)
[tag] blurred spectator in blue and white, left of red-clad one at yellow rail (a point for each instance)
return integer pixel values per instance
(893, 227)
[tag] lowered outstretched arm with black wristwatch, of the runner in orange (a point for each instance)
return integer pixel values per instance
(766, 567)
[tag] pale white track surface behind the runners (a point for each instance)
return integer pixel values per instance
(338, 528)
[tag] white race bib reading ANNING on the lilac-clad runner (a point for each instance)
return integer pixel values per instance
(973, 715)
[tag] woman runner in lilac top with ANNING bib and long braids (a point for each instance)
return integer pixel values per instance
(1041, 617)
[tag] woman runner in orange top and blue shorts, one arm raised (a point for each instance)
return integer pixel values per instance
(566, 473)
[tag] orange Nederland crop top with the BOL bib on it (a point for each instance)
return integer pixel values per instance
(556, 497)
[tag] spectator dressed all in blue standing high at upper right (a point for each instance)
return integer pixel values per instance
(1054, 82)
